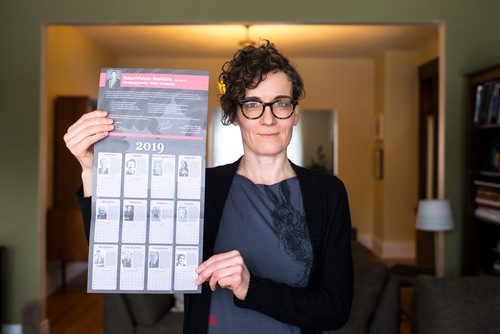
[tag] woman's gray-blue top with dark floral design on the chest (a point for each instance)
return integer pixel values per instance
(266, 224)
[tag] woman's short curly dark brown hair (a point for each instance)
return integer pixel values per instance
(247, 69)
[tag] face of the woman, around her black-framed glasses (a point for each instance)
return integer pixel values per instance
(267, 135)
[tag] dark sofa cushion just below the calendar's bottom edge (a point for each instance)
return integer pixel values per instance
(147, 310)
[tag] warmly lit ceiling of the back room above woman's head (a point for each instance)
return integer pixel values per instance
(295, 40)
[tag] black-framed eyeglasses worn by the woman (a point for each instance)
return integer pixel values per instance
(281, 108)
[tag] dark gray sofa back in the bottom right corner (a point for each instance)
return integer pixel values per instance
(456, 305)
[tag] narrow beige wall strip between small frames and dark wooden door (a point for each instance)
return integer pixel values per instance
(396, 194)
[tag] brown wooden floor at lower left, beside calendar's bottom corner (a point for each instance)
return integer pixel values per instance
(75, 311)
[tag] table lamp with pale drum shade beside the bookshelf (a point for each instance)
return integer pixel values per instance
(436, 216)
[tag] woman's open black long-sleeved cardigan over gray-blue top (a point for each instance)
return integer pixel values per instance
(326, 300)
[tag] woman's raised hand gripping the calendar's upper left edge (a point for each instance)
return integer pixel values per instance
(81, 137)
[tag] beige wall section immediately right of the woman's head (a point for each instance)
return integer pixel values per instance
(347, 85)
